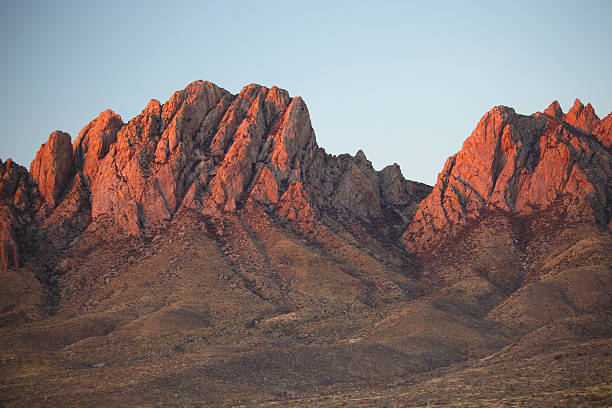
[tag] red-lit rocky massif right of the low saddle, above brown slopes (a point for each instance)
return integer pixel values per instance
(521, 165)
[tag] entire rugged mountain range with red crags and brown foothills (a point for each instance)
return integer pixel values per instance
(209, 253)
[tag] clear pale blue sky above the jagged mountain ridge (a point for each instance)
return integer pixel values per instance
(404, 81)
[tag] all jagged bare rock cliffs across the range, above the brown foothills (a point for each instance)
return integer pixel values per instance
(208, 151)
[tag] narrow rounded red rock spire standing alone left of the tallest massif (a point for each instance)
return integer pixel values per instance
(52, 167)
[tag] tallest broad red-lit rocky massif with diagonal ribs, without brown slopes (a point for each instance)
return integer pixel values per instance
(203, 149)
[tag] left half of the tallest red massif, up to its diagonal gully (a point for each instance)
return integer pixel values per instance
(143, 178)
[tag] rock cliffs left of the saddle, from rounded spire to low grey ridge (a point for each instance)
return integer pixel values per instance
(207, 150)
